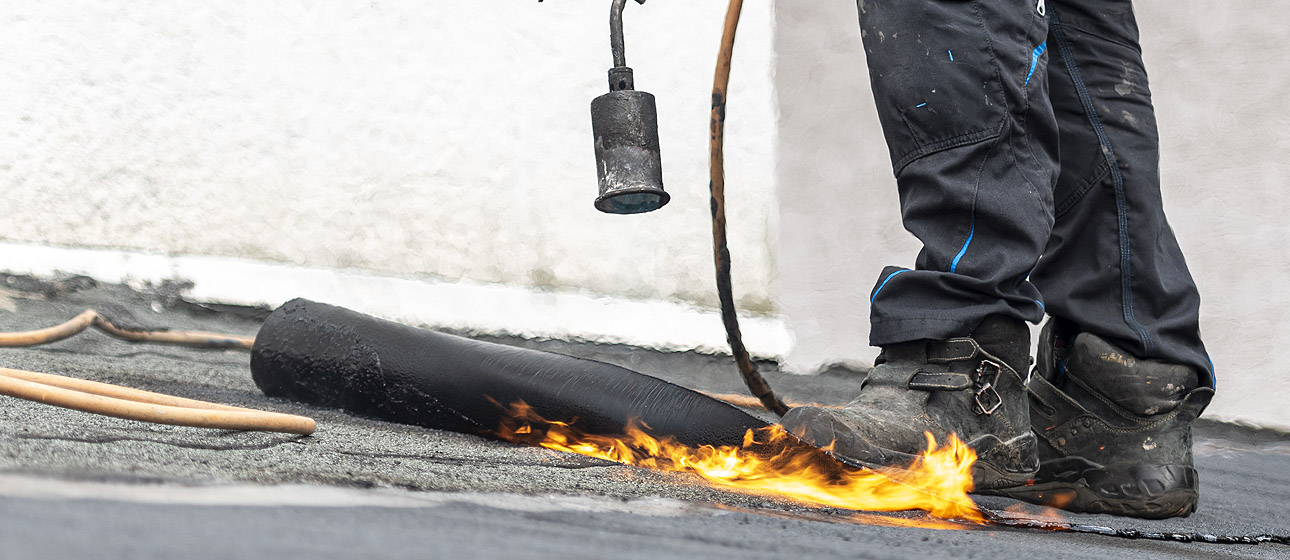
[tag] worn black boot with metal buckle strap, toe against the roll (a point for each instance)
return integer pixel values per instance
(963, 386)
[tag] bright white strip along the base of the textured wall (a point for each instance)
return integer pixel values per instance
(446, 305)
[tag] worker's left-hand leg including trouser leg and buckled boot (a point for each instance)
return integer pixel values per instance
(962, 95)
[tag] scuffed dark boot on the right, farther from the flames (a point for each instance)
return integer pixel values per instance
(1115, 432)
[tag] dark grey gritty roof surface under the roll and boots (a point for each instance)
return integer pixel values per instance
(368, 488)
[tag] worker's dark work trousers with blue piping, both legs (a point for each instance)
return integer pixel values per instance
(1026, 155)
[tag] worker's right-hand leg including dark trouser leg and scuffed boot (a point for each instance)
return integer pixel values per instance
(1122, 371)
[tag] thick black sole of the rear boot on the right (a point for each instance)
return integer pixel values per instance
(1136, 491)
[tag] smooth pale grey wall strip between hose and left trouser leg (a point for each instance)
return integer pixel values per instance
(840, 221)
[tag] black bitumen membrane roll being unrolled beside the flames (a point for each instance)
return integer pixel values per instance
(337, 358)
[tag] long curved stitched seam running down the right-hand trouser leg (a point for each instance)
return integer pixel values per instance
(1118, 183)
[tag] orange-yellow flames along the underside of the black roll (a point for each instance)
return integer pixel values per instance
(772, 461)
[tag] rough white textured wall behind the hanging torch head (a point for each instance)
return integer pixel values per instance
(407, 139)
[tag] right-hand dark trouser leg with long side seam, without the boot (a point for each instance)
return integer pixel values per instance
(1113, 265)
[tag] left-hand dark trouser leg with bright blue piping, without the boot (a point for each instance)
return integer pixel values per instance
(960, 91)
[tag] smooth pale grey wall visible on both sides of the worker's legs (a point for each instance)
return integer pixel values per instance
(1225, 162)
